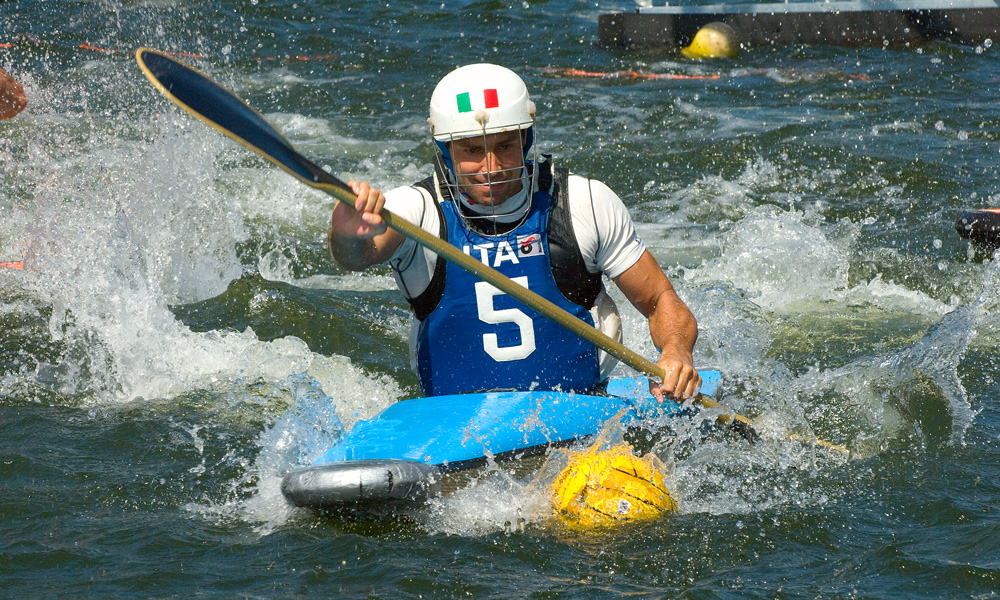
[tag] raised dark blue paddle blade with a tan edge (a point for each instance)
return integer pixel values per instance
(215, 105)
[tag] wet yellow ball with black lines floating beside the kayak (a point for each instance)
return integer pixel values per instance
(604, 487)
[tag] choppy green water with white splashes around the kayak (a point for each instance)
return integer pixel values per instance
(179, 339)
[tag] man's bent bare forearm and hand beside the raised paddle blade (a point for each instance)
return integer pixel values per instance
(358, 237)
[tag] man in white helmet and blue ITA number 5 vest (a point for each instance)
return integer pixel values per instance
(554, 232)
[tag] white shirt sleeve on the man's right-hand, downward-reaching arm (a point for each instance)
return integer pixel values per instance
(603, 226)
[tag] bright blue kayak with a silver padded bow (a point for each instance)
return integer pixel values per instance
(401, 454)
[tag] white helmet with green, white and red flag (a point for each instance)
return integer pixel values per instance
(480, 99)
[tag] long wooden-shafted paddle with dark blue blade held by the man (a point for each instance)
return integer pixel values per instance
(221, 109)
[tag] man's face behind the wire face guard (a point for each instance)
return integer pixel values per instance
(488, 168)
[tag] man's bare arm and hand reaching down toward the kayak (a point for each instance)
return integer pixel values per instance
(672, 327)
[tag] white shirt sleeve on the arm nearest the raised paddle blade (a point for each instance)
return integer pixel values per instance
(412, 264)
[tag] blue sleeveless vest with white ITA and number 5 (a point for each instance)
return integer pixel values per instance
(479, 338)
